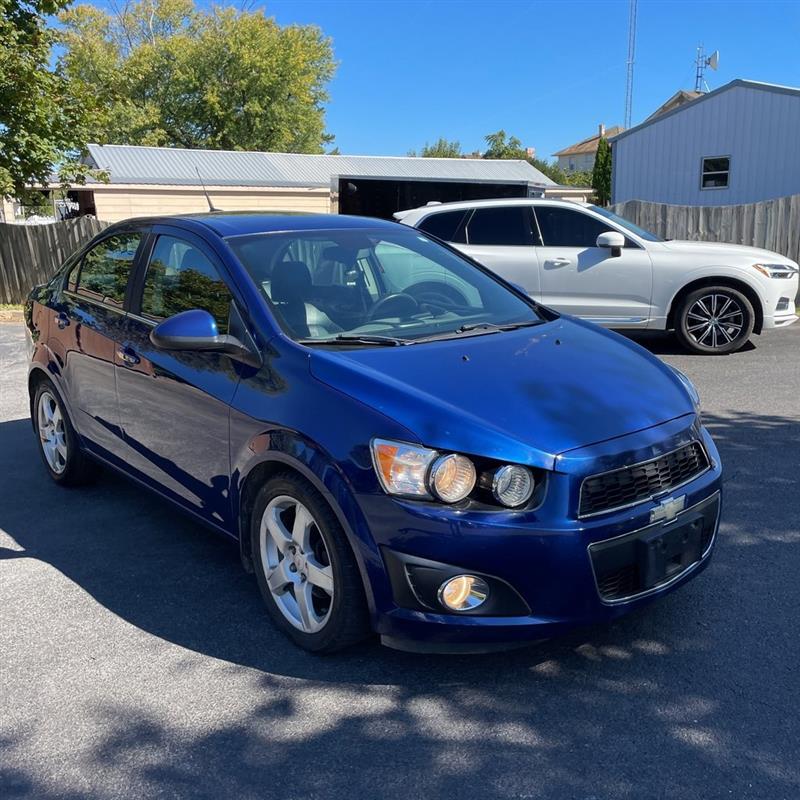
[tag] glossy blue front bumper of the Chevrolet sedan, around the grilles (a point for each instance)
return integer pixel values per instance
(544, 556)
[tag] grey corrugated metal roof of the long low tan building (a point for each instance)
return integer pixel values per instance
(128, 164)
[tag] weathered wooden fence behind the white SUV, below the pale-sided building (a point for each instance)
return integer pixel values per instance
(771, 224)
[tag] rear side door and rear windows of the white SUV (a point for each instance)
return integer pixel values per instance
(502, 238)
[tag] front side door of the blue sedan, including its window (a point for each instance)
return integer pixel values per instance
(174, 405)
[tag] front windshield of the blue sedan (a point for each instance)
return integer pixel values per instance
(376, 286)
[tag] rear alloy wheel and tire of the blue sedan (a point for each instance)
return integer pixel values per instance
(58, 443)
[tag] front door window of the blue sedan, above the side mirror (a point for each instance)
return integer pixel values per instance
(179, 277)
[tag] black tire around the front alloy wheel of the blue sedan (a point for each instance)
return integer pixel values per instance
(347, 619)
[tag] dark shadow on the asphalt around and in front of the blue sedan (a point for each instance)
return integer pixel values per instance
(693, 697)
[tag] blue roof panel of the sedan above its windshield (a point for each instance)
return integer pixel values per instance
(238, 223)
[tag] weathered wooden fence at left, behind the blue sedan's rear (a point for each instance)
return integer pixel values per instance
(30, 254)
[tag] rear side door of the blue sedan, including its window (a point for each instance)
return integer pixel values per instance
(88, 323)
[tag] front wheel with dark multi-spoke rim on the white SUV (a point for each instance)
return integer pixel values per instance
(714, 320)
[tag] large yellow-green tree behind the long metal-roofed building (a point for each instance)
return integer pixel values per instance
(166, 73)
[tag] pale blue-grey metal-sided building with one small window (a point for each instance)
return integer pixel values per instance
(737, 144)
